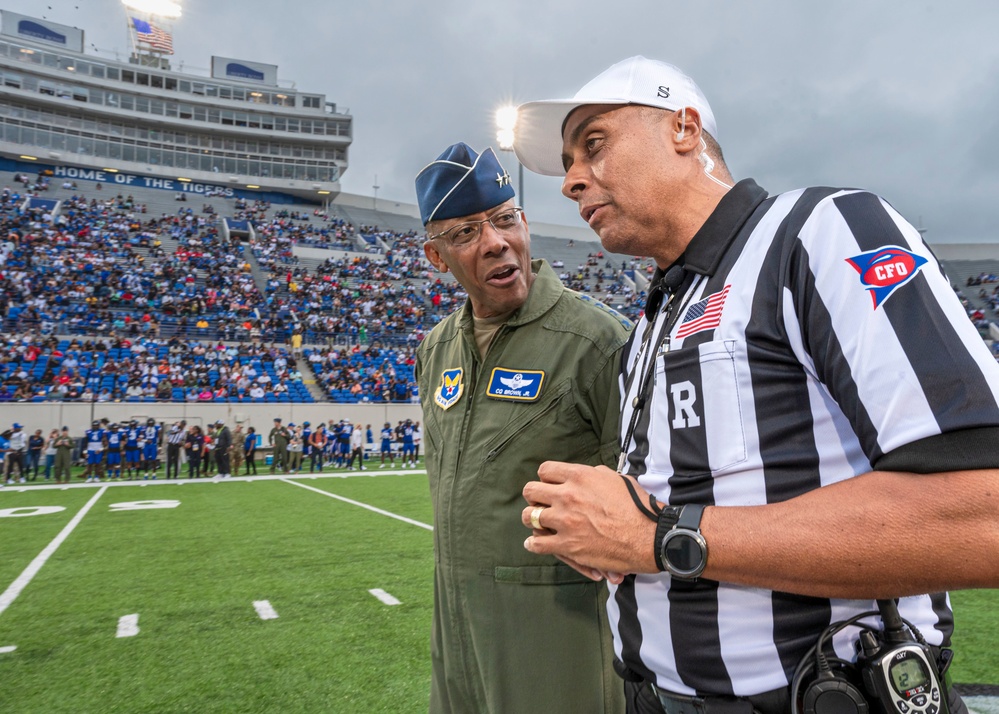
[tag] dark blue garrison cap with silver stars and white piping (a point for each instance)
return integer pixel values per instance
(461, 183)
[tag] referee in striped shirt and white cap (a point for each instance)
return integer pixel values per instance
(812, 412)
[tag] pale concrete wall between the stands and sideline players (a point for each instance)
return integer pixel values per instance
(77, 416)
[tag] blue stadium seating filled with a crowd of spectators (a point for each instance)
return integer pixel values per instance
(127, 284)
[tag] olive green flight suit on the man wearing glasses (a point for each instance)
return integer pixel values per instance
(514, 631)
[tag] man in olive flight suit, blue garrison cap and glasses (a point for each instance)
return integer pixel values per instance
(536, 364)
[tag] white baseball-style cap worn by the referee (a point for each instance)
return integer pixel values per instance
(636, 80)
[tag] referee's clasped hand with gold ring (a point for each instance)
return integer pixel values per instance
(589, 521)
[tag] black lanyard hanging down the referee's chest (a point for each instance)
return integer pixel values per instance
(671, 284)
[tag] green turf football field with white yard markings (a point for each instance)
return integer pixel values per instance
(259, 594)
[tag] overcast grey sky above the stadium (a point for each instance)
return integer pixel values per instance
(901, 98)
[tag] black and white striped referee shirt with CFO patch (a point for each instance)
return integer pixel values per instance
(815, 338)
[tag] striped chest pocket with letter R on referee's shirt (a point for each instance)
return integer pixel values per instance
(699, 398)
